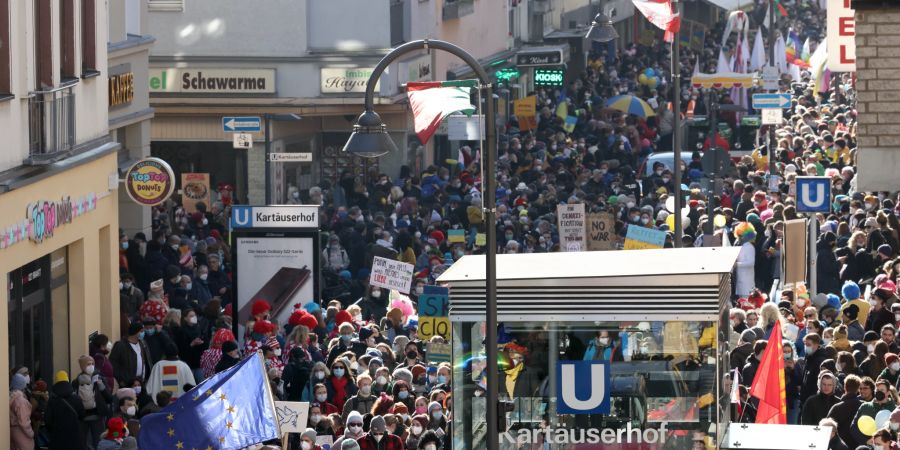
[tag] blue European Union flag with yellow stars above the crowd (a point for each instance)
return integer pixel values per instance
(230, 410)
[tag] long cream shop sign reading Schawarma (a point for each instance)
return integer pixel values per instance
(212, 81)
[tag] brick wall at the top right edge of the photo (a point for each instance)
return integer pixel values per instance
(878, 87)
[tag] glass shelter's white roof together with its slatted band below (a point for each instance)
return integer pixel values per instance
(666, 284)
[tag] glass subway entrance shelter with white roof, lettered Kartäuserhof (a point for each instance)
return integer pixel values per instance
(648, 318)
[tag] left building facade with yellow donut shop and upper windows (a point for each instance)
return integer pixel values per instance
(58, 186)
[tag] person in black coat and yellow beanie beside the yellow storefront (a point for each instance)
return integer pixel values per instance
(63, 415)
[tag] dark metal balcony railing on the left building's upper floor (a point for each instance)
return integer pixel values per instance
(51, 125)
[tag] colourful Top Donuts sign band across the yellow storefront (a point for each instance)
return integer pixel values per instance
(42, 218)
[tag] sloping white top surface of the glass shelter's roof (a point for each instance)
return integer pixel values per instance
(672, 261)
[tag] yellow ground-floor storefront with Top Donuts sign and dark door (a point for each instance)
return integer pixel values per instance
(59, 253)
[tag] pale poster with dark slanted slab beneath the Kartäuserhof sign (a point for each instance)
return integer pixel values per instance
(278, 269)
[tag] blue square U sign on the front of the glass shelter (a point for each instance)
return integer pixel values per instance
(582, 387)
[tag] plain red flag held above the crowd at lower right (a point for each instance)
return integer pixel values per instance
(768, 384)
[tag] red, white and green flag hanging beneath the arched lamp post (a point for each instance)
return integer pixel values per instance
(432, 102)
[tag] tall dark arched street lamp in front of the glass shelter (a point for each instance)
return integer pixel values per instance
(370, 139)
